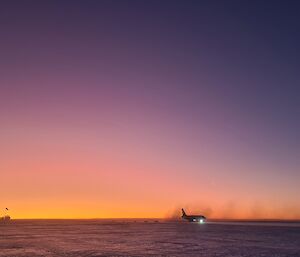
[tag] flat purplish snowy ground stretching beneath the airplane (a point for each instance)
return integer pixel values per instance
(91, 238)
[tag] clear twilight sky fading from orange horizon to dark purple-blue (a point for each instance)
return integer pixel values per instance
(114, 109)
